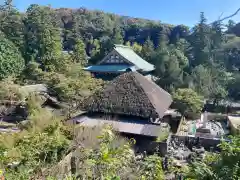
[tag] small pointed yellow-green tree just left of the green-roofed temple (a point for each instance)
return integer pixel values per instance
(79, 53)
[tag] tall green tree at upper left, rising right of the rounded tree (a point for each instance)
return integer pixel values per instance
(43, 37)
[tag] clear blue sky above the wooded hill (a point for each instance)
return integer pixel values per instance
(168, 11)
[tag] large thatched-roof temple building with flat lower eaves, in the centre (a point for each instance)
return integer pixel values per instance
(134, 105)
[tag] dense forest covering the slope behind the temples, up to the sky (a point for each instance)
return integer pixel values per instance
(204, 58)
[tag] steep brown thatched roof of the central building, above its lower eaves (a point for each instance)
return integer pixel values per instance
(130, 94)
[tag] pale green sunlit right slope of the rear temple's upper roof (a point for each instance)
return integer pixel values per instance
(131, 56)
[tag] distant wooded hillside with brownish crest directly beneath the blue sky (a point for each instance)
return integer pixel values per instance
(100, 25)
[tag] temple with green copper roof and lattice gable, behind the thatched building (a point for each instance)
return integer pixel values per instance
(120, 60)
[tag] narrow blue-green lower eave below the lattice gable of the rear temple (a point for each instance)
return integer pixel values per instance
(108, 68)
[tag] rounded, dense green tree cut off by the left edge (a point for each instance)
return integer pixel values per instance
(12, 63)
